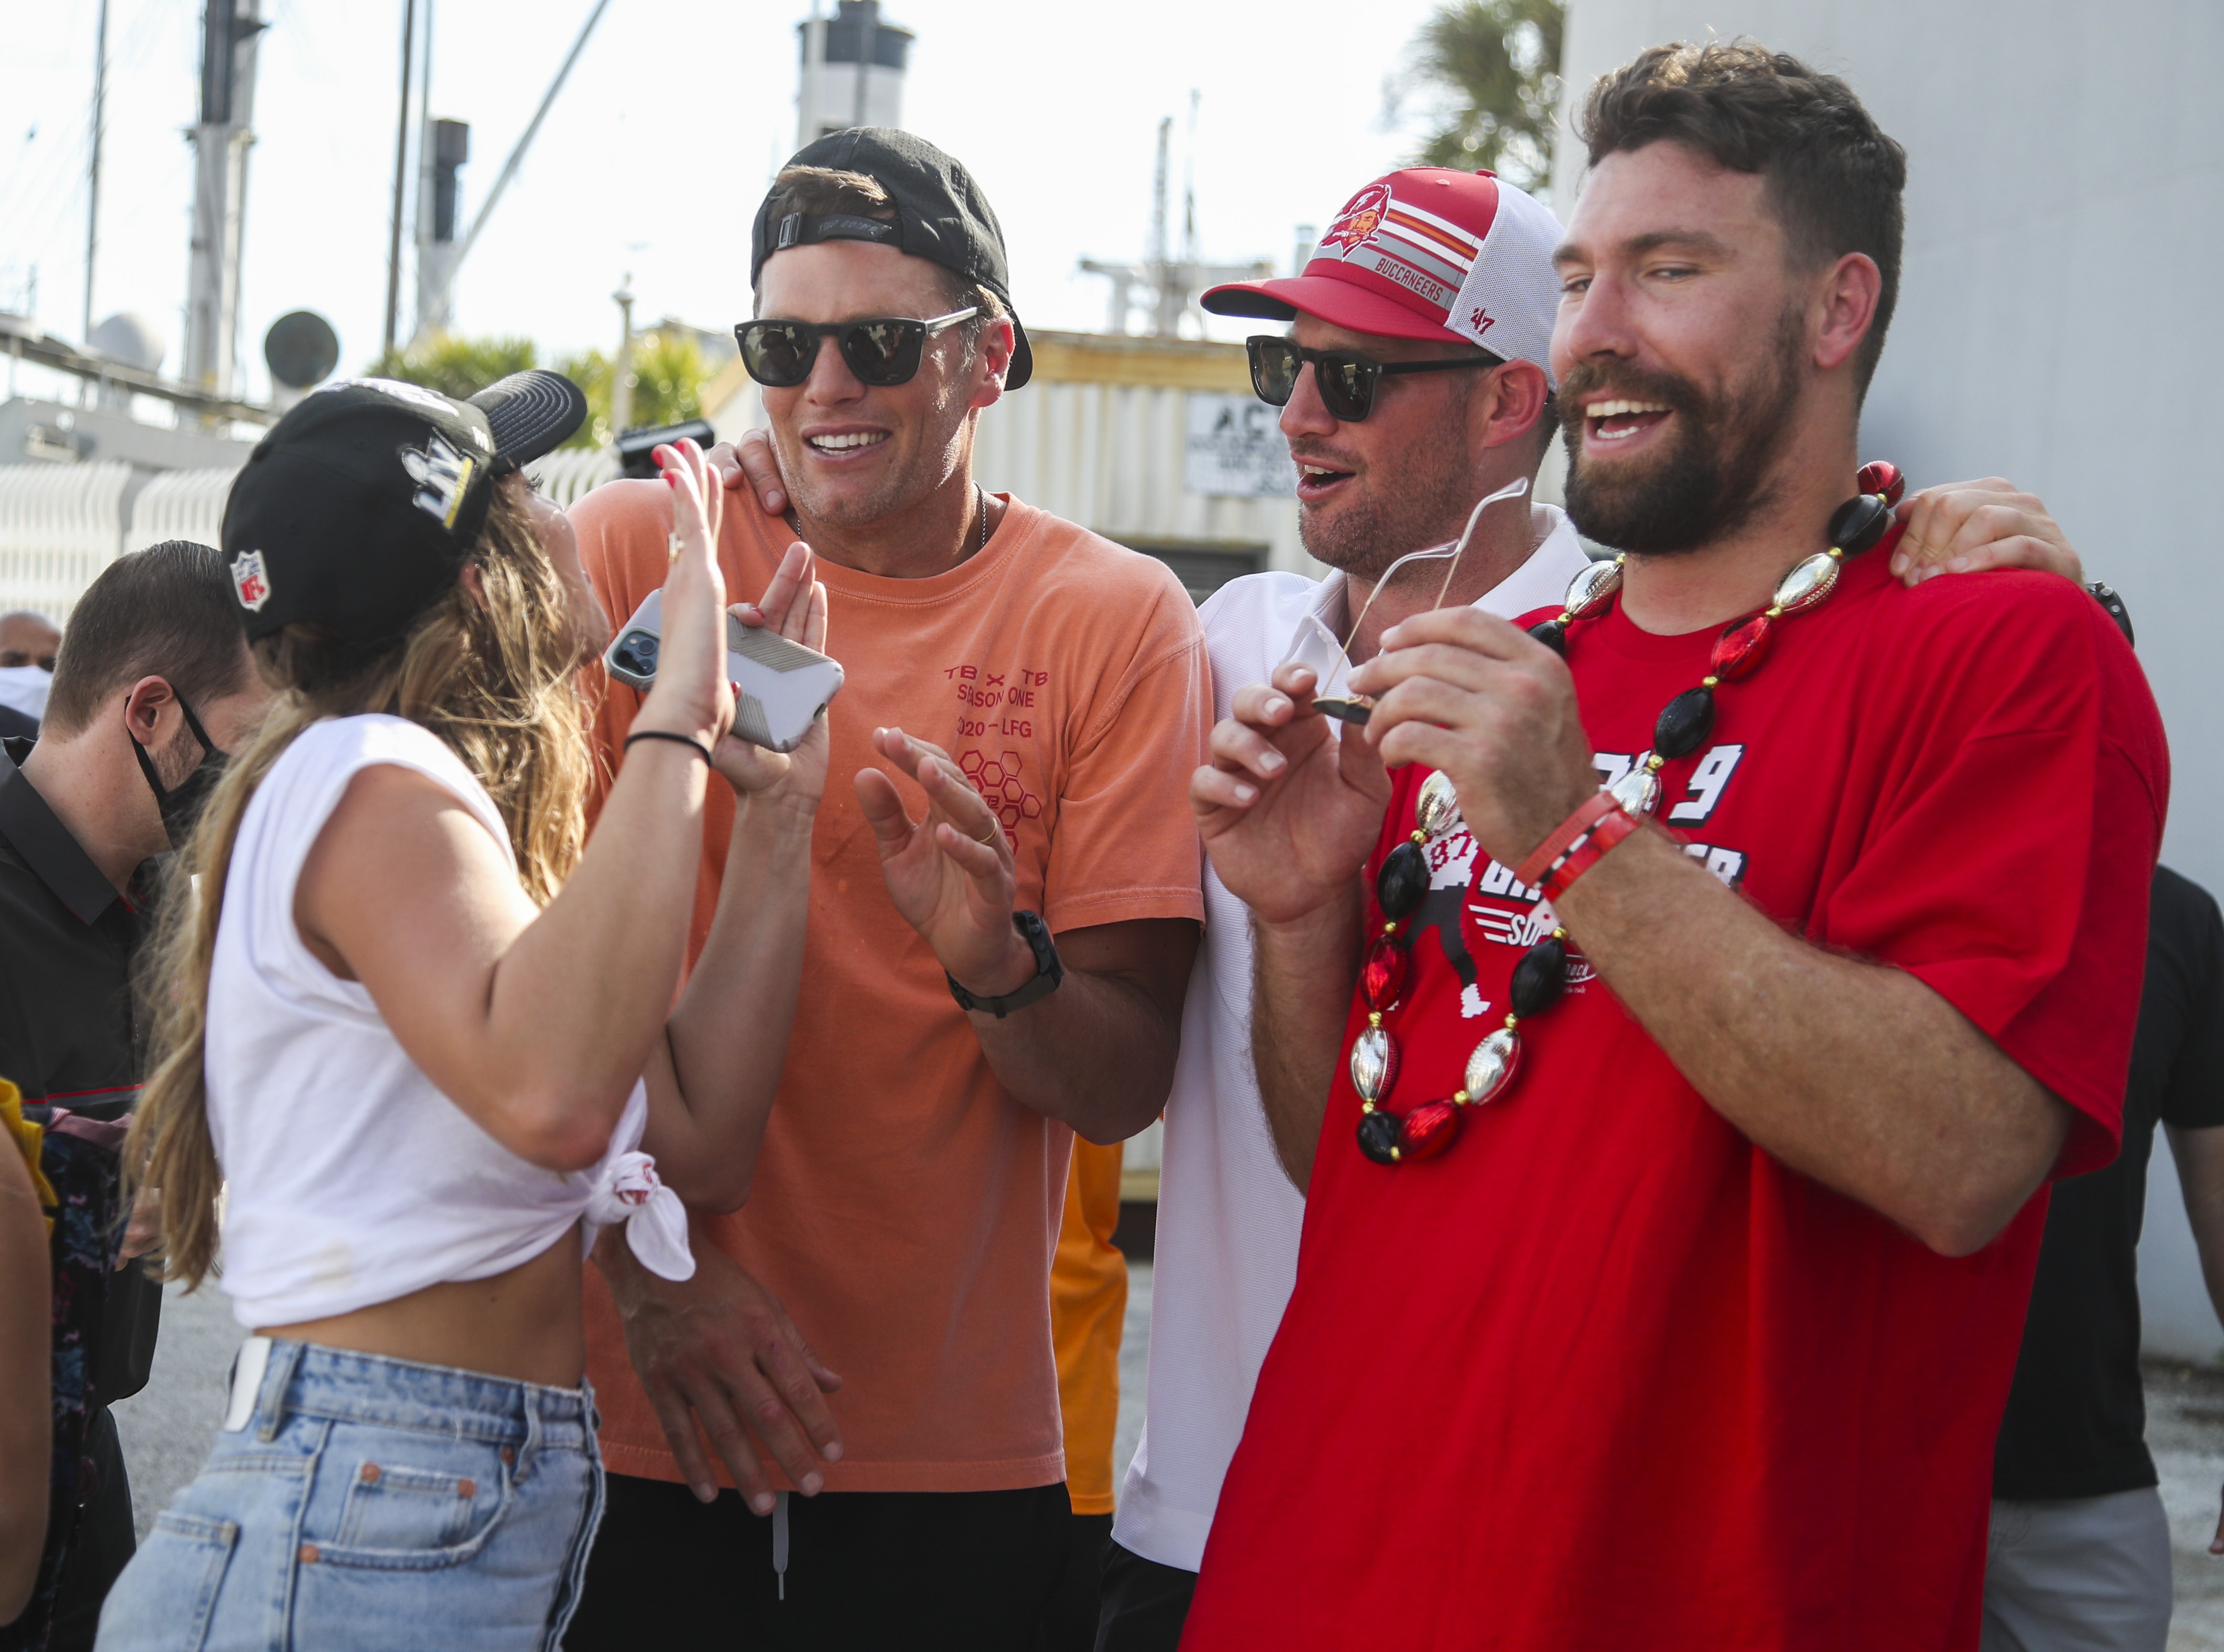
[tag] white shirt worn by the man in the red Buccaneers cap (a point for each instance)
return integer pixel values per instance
(1229, 1217)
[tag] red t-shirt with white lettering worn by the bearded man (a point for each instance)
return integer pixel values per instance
(1607, 1375)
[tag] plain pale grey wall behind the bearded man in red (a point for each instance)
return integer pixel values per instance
(2065, 230)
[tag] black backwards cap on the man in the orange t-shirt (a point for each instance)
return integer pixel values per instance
(942, 217)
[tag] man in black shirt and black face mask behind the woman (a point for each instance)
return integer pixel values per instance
(155, 688)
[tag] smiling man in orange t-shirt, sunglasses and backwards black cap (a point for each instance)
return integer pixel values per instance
(1022, 713)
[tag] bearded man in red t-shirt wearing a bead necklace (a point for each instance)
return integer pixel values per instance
(1671, 1300)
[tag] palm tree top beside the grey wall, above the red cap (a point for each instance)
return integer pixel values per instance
(1491, 77)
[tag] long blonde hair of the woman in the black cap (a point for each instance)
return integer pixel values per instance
(493, 675)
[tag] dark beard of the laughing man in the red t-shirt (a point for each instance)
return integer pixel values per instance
(1709, 484)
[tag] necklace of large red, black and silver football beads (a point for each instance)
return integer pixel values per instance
(1542, 975)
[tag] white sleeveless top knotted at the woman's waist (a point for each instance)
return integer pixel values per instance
(353, 1180)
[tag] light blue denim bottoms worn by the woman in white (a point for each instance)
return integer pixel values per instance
(370, 1504)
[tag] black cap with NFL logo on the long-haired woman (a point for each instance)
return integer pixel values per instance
(361, 504)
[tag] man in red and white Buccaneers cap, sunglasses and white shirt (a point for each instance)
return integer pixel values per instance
(1413, 384)
